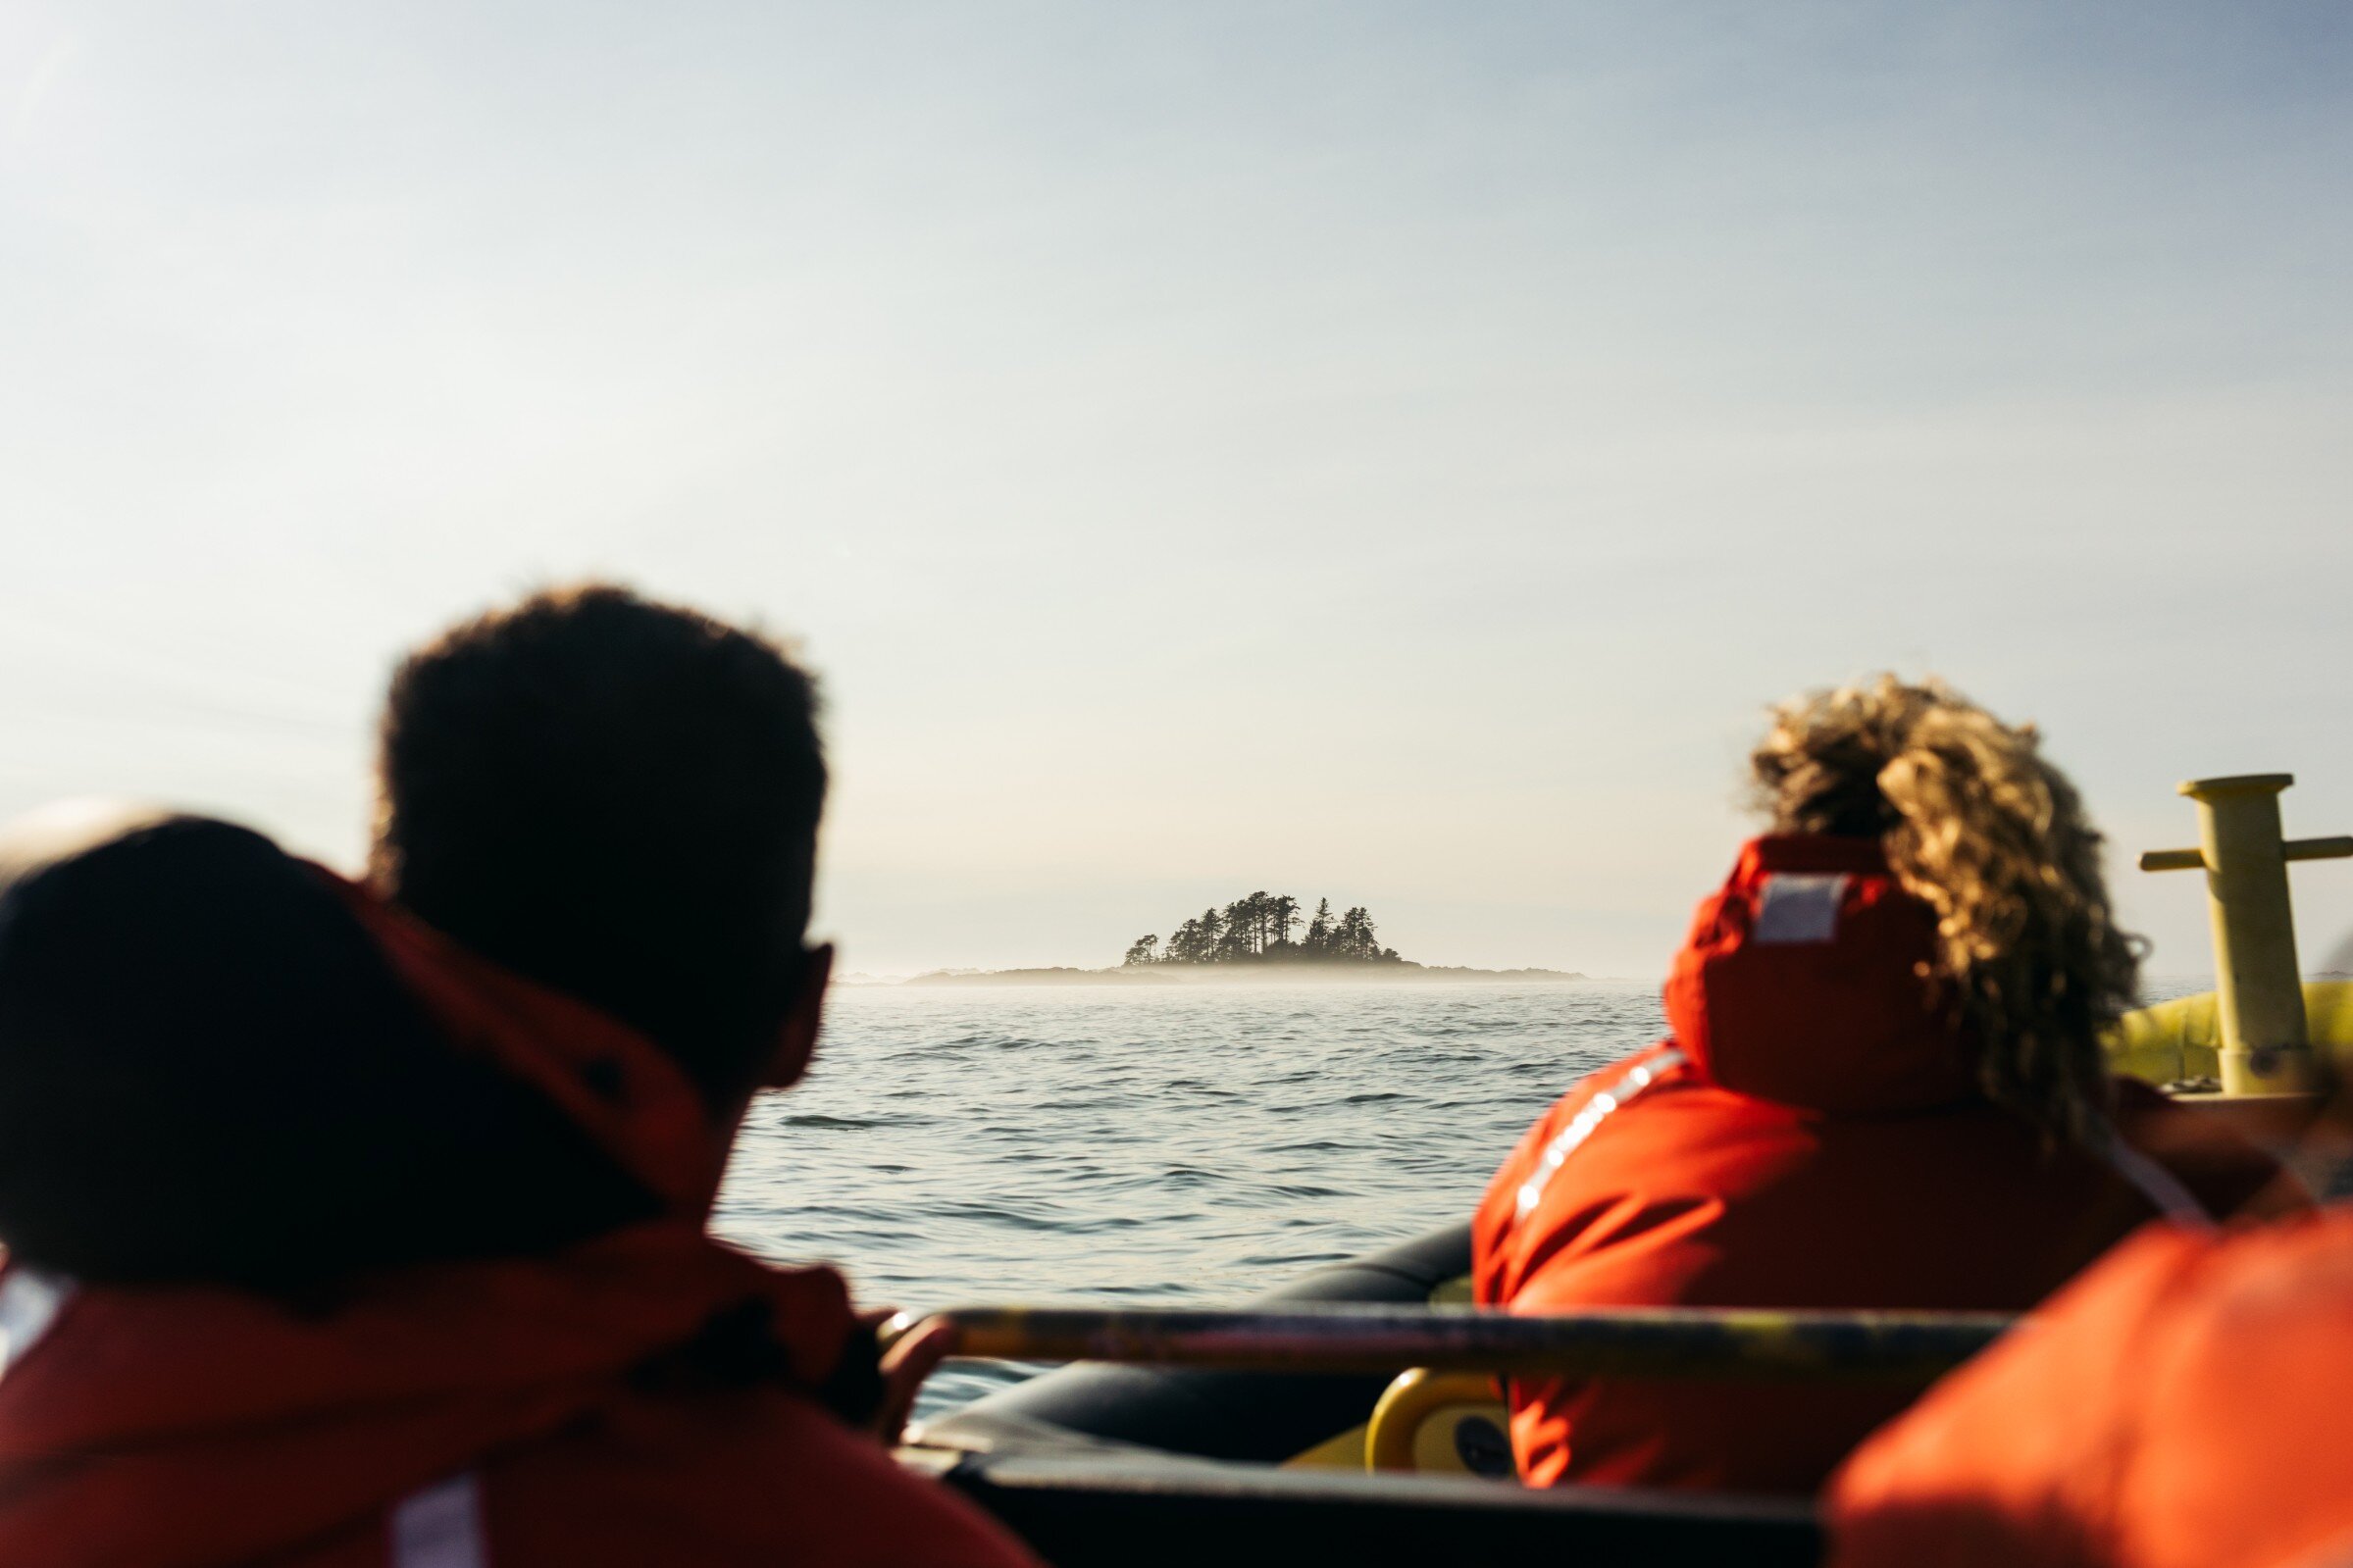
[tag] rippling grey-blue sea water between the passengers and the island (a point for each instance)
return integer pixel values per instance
(1126, 1146)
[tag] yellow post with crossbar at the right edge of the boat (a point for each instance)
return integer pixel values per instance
(2260, 993)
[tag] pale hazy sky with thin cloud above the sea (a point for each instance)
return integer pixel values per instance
(1364, 450)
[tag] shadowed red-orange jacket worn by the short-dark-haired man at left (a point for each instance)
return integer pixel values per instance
(646, 1398)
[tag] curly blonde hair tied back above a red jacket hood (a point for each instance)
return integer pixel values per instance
(1997, 843)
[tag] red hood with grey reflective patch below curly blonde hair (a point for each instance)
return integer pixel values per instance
(1808, 981)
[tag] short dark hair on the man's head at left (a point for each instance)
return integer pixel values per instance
(620, 800)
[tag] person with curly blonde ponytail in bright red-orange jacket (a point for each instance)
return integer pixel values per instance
(1884, 1090)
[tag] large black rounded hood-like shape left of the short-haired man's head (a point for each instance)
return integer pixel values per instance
(208, 1073)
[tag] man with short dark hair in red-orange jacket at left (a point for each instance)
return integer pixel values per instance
(366, 1226)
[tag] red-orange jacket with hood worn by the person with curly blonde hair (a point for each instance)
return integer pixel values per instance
(1811, 1137)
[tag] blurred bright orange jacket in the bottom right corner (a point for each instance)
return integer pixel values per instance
(2187, 1405)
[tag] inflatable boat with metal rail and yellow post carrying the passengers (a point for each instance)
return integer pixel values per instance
(1352, 1419)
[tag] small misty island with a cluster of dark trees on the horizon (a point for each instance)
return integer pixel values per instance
(1255, 939)
